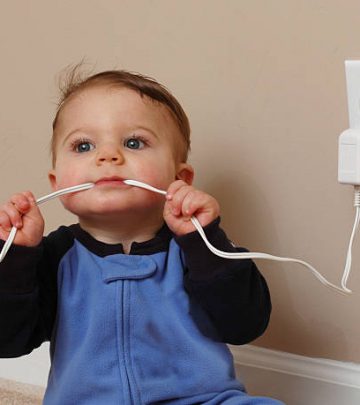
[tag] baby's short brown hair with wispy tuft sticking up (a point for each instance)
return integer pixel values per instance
(74, 81)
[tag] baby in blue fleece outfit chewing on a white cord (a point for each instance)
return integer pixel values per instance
(136, 308)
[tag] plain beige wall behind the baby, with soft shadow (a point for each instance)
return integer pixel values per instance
(263, 84)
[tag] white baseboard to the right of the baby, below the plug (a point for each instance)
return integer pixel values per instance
(297, 380)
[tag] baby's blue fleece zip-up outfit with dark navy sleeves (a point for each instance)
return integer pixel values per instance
(145, 328)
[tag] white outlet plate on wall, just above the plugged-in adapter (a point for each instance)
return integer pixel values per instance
(352, 70)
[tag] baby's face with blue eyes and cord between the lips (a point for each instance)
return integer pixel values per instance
(108, 134)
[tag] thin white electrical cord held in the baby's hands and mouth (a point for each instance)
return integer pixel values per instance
(227, 255)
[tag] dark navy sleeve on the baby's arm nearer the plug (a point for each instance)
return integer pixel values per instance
(233, 293)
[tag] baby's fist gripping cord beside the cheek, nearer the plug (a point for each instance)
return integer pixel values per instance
(184, 201)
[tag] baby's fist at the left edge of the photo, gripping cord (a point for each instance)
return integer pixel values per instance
(21, 211)
